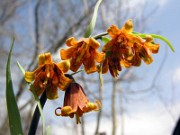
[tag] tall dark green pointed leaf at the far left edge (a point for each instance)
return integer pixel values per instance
(12, 108)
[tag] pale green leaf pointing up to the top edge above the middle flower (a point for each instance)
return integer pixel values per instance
(91, 26)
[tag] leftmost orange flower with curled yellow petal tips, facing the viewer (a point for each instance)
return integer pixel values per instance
(48, 76)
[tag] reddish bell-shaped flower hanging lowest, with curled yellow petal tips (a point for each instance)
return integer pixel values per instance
(76, 103)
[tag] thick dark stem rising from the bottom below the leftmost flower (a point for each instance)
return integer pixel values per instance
(36, 116)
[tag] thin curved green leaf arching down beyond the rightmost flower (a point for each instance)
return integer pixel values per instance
(158, 37)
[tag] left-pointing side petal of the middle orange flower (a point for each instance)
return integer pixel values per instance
(67, 54)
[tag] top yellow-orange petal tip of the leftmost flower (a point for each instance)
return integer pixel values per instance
(45, 58)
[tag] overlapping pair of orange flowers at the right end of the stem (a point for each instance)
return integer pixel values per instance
(126, 49)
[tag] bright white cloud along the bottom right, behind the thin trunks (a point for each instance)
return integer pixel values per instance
(155, 122)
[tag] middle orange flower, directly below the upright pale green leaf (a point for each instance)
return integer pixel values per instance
(83, 52)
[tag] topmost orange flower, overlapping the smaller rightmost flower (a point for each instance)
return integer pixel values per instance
(119, 48)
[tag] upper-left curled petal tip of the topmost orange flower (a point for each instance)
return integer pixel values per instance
(113, 31)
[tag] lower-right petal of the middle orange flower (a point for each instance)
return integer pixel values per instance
(89, 65)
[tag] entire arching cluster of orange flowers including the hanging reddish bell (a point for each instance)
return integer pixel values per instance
(124, 49)
